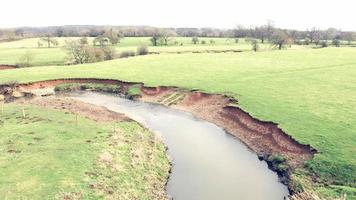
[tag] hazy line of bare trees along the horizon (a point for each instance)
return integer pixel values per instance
(161, 35)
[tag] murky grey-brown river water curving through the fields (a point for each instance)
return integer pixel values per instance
(208, 163)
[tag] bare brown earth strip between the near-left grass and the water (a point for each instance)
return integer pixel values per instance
(96, 113)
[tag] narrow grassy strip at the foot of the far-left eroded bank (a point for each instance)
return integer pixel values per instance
(88, 86)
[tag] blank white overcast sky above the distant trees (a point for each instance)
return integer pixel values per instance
(297, 14)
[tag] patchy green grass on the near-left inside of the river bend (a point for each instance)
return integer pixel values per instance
(48, 156)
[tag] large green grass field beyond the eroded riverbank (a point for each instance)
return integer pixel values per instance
(309, 92)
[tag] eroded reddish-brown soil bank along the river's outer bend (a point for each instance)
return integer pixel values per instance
(265, 138)
